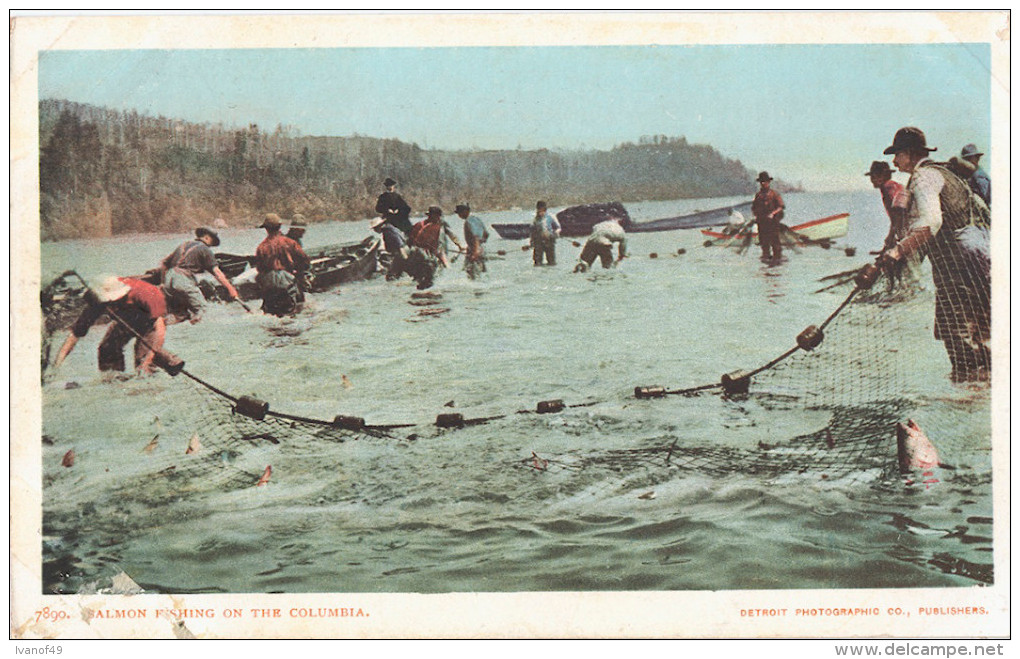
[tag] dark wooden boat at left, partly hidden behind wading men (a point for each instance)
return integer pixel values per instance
(330, 267)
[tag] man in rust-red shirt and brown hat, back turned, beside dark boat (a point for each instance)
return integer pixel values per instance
(281, 264)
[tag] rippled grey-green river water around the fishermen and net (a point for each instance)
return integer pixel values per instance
(526, 502)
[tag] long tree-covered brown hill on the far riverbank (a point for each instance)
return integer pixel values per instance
(105, 173)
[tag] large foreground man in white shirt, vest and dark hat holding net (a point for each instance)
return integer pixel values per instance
(947, 221)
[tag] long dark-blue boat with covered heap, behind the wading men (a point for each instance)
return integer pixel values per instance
(579, 221)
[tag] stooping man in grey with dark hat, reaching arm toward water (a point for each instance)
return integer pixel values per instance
(184, 298)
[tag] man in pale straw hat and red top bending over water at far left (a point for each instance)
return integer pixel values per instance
(136, 309)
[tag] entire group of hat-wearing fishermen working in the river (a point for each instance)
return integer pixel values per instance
(942, 214)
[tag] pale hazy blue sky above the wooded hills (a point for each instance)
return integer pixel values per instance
(815, 114)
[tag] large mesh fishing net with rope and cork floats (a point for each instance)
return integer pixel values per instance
(880, 360)
